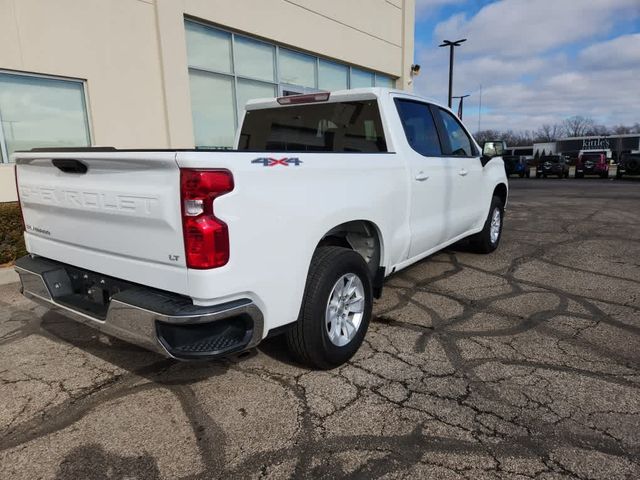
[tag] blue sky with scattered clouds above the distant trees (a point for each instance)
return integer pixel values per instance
(538, 61)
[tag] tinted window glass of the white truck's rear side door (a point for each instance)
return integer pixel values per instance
(419, 127)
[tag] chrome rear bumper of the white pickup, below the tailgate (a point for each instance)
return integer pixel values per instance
(156, 320)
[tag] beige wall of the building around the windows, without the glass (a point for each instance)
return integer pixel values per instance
(132, 53)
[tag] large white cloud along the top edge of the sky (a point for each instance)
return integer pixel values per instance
(516, 27)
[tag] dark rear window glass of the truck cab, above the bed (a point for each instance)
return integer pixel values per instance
(319, 127)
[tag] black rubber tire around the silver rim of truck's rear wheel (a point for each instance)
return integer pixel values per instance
(308, 340)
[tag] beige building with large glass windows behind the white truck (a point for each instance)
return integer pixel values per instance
(177, 73)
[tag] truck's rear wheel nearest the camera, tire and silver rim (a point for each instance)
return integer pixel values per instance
(336, 309)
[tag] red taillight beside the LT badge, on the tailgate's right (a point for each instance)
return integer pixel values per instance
(206, 238)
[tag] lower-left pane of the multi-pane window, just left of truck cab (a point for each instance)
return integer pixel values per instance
(213, 109)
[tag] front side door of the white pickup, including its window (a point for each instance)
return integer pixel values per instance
(466, 174)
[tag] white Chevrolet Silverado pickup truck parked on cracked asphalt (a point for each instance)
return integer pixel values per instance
(198, 254)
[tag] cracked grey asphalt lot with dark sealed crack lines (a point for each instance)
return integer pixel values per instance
(520, 364)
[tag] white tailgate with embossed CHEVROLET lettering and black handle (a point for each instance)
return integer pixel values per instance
(119, 216)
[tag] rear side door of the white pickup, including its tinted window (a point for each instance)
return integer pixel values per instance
(430, 181)
